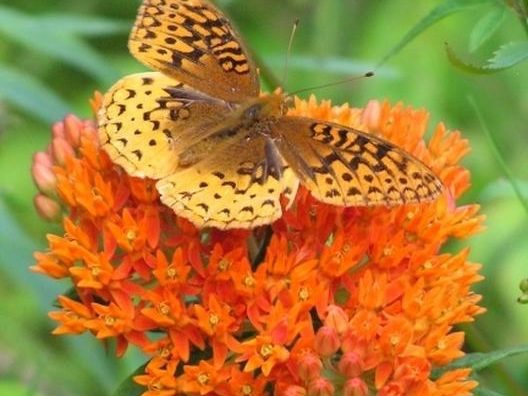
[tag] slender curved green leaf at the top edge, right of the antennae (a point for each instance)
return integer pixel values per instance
(441, 11)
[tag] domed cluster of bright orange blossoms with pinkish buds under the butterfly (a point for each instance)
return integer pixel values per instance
(345, 301)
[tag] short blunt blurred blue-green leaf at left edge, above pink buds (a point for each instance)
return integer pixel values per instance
(31, 95)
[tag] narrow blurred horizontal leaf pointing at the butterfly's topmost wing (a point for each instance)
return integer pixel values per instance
(83, 25)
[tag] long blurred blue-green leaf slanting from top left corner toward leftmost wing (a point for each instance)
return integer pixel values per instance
(27, 31)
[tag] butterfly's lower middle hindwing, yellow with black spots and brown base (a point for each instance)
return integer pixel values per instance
(237, 185)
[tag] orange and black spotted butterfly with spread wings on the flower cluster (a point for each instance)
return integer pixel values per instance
(222, 154)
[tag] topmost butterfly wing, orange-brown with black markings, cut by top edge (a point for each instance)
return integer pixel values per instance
(192, 41)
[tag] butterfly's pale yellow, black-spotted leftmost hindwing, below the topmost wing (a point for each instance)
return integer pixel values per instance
(146, 119)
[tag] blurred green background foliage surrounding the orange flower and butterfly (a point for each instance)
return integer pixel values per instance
(55, 53)
